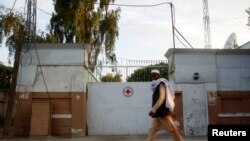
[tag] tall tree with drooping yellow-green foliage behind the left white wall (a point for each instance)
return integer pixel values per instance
(85, 21)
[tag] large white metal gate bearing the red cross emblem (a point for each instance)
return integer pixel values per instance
(111, 113)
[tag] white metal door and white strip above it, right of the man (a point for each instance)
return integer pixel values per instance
(195, 107)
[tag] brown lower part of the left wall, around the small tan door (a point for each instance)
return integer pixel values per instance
(68, 113)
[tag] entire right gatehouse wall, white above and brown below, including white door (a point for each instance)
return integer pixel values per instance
(224, 80)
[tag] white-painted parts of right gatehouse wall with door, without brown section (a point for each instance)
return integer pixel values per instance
(219, 69)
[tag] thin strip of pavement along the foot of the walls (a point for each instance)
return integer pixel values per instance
(106, 138)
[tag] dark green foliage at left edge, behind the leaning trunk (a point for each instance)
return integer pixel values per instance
(5, 76)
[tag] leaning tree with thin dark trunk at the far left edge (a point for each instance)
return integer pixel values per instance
(11, 26)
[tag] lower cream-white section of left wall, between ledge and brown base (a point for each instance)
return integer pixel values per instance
(57, 78)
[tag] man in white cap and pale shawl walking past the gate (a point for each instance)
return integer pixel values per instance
(162, 108)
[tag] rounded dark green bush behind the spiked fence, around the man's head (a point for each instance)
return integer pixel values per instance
(143, 74)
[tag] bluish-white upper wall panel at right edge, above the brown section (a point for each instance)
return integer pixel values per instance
(233, 72)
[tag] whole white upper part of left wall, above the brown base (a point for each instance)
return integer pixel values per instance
(62, 66)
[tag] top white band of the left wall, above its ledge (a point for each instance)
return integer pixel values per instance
(53, 54)
